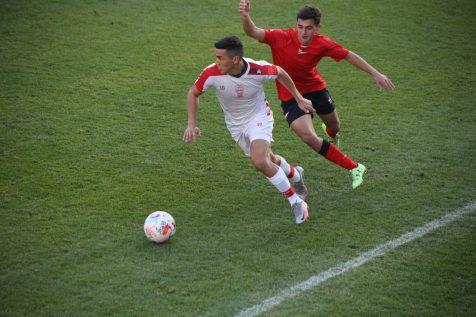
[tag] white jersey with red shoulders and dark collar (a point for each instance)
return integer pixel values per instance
(241, 98)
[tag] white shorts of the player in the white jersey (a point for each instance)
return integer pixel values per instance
(258, 128)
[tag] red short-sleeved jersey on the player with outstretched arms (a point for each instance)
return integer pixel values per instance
(300, 61)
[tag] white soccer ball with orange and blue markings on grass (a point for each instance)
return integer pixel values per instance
(159, 226)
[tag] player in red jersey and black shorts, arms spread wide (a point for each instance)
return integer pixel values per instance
(298, 51)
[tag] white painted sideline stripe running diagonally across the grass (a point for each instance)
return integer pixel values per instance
(357, 261)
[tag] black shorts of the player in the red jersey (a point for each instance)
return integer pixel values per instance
(321, 100)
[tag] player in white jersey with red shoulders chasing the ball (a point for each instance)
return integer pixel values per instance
(239, 88)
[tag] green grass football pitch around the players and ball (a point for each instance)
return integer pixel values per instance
(92, 100)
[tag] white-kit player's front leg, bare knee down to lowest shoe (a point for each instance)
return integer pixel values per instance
(261, 159)
